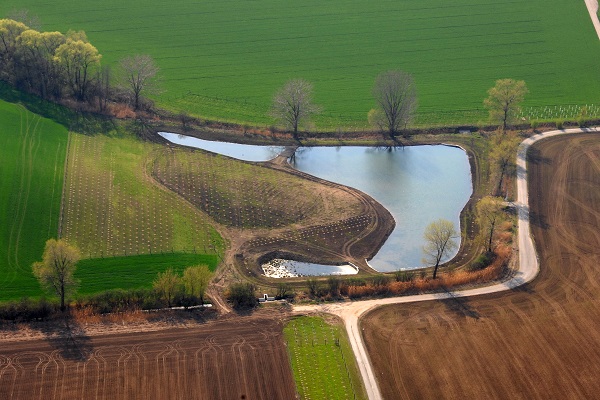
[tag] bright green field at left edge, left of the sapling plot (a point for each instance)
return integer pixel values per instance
(32, 157)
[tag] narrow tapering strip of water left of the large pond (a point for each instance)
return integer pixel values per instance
(234, 150)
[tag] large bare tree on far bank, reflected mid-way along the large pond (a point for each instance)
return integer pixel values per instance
(396, 96)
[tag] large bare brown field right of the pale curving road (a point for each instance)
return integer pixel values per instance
(541, 341)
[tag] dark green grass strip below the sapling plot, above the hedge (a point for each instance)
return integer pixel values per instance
(100, 274)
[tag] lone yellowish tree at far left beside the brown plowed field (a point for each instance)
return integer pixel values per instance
(55, 271)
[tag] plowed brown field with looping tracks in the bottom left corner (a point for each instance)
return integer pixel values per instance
(242, 358)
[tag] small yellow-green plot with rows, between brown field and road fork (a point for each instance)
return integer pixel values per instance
(322, 360)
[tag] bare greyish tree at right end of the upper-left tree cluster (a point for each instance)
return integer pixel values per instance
(138, 75)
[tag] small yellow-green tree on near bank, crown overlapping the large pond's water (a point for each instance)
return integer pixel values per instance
(439, 237)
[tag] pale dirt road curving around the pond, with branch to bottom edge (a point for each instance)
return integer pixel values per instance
(528, 269)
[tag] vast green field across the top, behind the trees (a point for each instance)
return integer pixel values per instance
(225, 59)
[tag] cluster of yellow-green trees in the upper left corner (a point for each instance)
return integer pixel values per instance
(62, 67)
